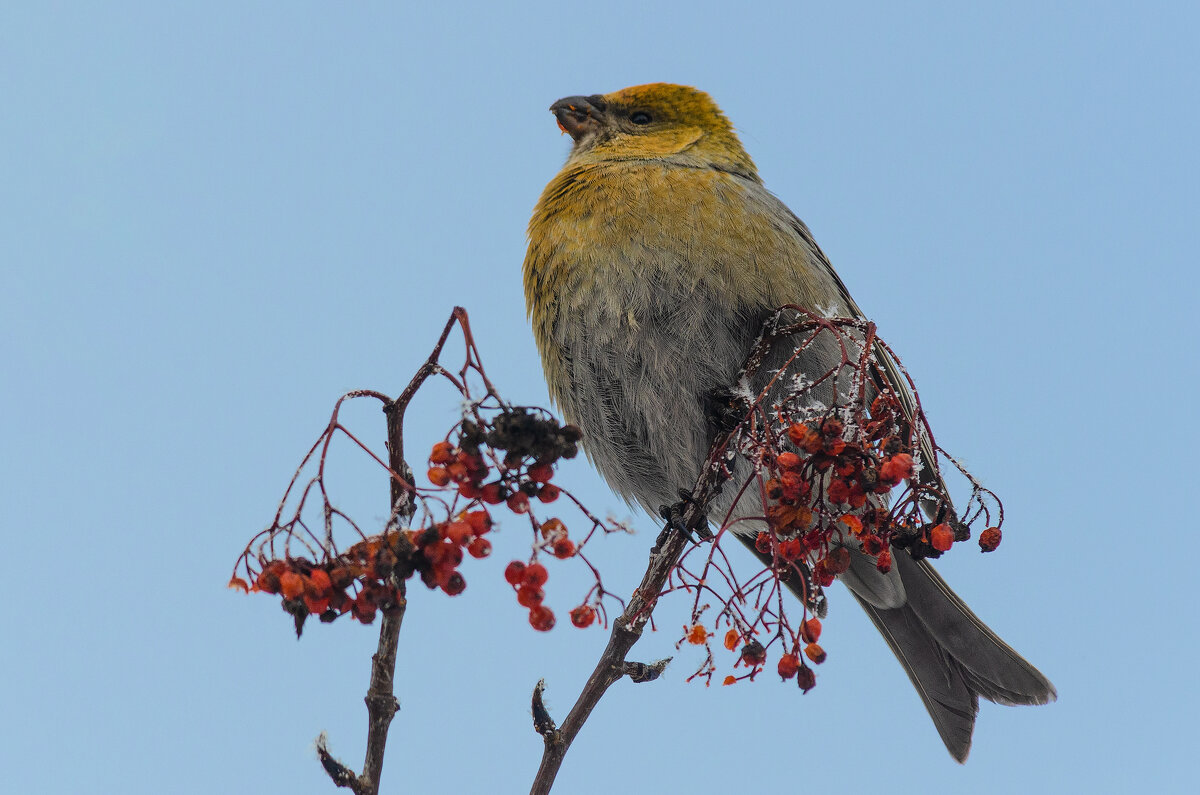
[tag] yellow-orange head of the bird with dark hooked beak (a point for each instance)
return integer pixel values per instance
(653, 122)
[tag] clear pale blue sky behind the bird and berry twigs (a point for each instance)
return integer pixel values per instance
(215, 220)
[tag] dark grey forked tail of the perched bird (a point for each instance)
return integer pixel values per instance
(951, 656)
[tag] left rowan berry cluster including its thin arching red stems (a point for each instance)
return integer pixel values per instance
(495, 467)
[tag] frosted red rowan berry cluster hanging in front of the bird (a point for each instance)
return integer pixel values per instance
(837, 483)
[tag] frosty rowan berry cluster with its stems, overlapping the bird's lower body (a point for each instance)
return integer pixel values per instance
(857, 476)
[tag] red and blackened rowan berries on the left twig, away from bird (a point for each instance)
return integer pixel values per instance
(507, 459)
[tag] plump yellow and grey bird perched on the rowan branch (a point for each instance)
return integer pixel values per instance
(655, 258)
